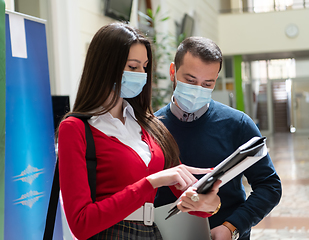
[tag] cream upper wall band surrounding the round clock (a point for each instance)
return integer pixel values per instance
(250, 33)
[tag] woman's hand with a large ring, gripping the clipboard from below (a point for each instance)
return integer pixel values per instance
(207, 202)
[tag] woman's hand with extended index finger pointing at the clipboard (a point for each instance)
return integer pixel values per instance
(180, 176)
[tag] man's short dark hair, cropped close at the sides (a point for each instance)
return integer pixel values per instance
(203, 48)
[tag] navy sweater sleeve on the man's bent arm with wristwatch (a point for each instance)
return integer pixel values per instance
(265, 184)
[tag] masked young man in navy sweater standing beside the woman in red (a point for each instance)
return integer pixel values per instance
(207, 132)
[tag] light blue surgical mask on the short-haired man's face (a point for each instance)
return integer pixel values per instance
(191, 98)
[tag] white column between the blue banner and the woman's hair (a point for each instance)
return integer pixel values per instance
(66, 52)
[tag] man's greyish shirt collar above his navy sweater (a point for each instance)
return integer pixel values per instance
(184, 116)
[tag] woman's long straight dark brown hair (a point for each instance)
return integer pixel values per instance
(105, 61)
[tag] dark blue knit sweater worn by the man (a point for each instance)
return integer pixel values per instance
(207, 141)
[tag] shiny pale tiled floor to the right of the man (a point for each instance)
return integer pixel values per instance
(290, 219)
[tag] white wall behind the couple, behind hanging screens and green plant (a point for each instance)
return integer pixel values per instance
(75, 22)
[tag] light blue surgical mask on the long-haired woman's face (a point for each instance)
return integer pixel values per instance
(132, 84)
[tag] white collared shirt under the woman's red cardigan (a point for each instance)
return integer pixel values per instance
(129, 133)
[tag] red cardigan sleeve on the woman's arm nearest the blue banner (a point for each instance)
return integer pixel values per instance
(86, 218)
